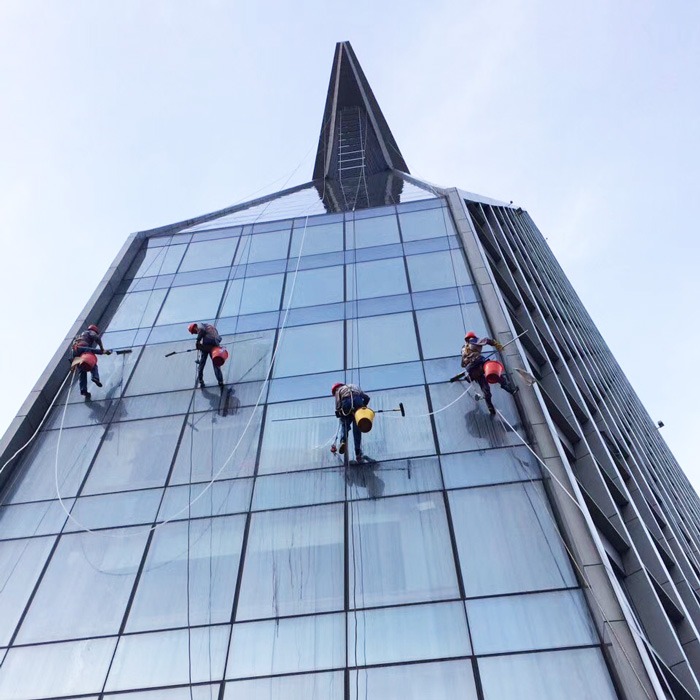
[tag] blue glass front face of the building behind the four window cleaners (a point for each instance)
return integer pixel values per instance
(167, 542)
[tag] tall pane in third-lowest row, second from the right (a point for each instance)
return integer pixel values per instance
(400, 551)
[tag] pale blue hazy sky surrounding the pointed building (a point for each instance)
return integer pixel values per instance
(120, 117)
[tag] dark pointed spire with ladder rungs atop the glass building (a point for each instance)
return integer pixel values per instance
(356, 143)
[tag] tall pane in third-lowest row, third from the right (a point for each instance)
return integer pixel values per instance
(294, 563)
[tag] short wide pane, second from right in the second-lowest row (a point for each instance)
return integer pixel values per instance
(408, 633)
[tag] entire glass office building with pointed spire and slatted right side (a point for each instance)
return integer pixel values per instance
(164, 541)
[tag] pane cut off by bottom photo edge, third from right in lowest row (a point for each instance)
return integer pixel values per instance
(310, 686)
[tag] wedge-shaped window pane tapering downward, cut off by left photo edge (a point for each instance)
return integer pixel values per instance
(21, 562)
